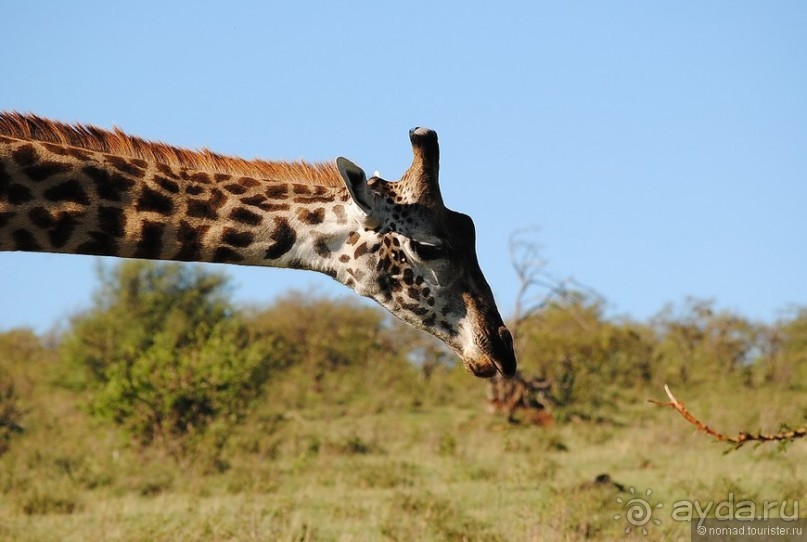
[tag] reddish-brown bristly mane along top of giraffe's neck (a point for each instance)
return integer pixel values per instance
(89, 137)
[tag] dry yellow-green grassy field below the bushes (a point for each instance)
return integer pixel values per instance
(428, 470)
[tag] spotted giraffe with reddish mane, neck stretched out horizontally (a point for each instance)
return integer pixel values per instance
(73, 188)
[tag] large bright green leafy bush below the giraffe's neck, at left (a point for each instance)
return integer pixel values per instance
(164, 354)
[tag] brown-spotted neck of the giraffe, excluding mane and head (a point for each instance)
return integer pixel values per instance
(59, 198)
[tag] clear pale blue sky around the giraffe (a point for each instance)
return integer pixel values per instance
(660, 147)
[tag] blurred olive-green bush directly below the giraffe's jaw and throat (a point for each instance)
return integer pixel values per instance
(336, 351)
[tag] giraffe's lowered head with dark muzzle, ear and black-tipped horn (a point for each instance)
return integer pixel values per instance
(418, 259)
